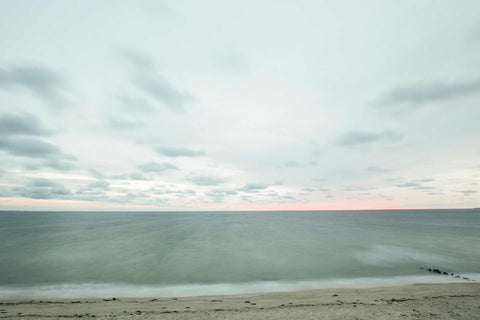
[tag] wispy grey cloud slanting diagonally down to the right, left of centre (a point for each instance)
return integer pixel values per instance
(146, 78)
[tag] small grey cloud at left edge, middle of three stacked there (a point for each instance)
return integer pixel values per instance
(21, 124)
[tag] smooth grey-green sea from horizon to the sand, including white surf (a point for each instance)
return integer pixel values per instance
(73, 254)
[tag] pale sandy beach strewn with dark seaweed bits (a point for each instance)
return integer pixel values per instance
(417, 301)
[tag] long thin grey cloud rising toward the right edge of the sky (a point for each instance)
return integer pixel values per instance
(419, 94)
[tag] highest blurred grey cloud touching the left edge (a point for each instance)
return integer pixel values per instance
(39, 80)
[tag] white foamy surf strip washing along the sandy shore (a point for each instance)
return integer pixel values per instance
(103, 290)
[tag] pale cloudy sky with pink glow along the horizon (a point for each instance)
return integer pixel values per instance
(239, 105)
